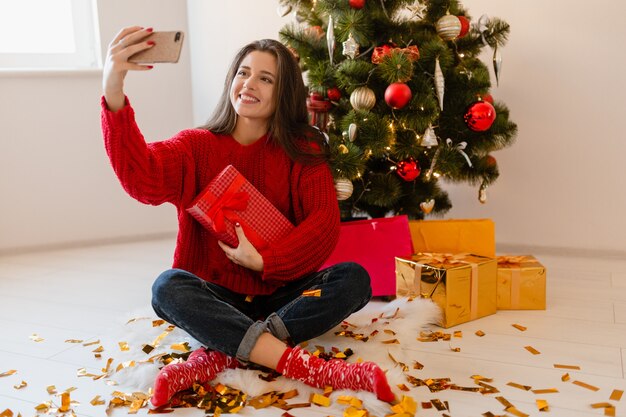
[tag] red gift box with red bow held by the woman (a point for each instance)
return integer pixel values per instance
(230, 198)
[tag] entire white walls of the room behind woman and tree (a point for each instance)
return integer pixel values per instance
(560, 184)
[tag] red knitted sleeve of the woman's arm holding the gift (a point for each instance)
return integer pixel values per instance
(306, 248)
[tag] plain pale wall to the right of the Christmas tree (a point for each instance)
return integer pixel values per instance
(562, 78)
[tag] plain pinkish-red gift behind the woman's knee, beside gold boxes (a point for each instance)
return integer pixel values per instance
(374, 244)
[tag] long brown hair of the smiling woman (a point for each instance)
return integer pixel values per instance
(288, 126)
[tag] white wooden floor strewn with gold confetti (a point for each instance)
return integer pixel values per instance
(81, 294)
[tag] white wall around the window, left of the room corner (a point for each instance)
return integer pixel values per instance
(56, 186)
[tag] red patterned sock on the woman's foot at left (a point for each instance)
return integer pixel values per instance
(201, 366)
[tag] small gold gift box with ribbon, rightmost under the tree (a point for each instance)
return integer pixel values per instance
(521, 283)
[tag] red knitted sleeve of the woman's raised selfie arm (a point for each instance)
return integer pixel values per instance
(152, 173)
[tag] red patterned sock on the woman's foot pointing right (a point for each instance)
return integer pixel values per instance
(299, 364)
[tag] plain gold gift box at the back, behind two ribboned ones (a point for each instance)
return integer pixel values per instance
(476, 236)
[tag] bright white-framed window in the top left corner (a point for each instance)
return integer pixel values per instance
(48, 34)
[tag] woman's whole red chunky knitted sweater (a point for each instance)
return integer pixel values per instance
(176, 170)
